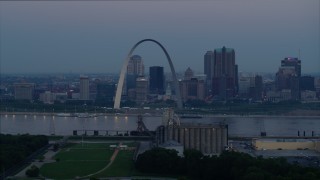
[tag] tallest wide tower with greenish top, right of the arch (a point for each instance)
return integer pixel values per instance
(224, 76)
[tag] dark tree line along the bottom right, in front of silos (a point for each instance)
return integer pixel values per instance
(228, 165)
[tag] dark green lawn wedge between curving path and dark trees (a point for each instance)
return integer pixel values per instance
(122, 166)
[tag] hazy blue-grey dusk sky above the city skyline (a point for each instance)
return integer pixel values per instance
(86, 37)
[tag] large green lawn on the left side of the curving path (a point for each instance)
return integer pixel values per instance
(78, 160)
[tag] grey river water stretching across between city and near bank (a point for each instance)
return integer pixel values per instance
(238, 125)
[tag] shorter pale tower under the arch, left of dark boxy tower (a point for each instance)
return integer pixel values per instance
(141, 90)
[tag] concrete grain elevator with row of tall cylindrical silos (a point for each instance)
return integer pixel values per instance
(207, 138)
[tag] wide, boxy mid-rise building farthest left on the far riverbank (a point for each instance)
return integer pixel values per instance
(23, 91)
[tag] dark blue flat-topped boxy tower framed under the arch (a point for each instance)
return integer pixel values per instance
(156, 80)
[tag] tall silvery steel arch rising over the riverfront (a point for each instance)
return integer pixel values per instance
(124, 71)
